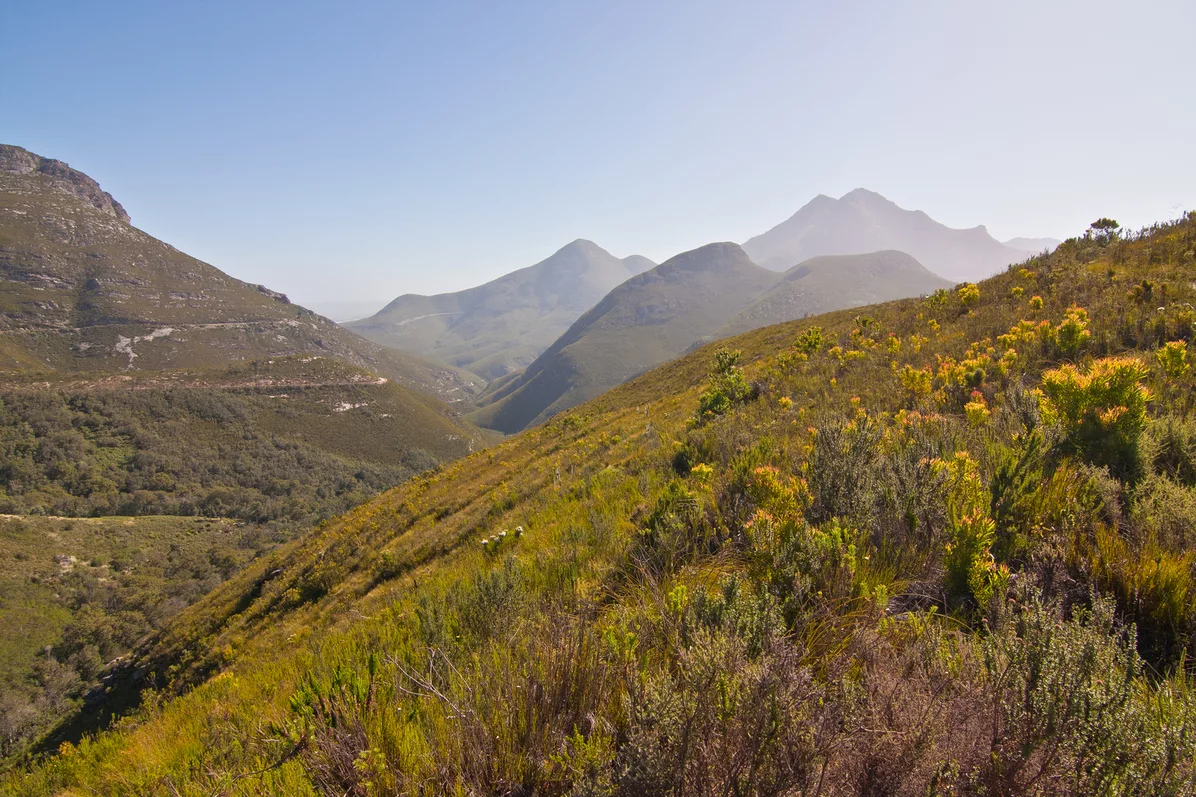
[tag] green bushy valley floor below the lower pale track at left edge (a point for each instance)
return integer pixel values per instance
(77, 594)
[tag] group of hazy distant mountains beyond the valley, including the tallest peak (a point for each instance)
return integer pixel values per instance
(834, 254)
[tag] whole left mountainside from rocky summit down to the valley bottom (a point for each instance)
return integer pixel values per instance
(136, 382)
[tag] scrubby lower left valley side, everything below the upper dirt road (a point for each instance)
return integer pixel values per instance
(284, 445)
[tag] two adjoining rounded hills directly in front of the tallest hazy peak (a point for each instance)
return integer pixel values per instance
(699, 296)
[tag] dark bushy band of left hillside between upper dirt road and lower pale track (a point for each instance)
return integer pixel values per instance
(285, 441)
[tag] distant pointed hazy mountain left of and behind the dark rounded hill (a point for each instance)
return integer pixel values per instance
(503, 326)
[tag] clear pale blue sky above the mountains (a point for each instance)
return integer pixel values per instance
(362, 150)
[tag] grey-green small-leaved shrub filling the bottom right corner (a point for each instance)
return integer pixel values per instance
(1072, 711)
